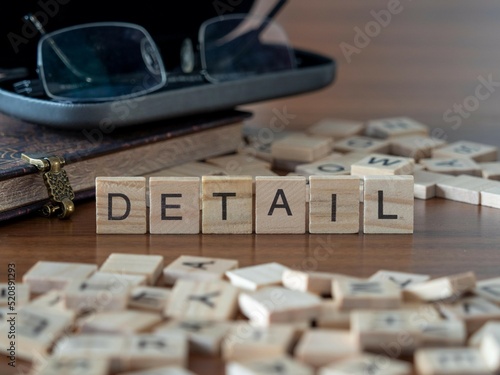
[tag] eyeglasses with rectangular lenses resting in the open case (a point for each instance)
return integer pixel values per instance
(107, 61)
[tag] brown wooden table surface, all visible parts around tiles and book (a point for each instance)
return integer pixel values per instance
(429, 58)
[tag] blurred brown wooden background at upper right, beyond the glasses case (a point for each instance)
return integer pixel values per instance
(435, 61)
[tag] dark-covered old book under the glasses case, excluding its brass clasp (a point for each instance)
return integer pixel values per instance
(103, 151)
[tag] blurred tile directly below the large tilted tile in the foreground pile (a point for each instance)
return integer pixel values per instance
(247, 342)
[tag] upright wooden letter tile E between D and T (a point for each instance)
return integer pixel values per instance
(174, 206)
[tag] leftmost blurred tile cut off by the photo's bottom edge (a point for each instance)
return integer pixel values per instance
(73, 366)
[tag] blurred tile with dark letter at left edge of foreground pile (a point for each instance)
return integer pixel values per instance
(35, 331)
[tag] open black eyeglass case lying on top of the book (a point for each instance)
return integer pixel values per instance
(168, 28)
